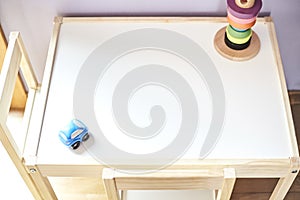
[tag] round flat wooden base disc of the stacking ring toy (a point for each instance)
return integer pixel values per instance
(236, 55)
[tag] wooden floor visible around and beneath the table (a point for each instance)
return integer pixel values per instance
(92, 188)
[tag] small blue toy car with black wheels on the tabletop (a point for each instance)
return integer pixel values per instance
(73, 134)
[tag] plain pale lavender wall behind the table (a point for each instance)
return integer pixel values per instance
(34, 18)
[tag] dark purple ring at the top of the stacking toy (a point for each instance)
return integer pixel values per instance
(244, 13)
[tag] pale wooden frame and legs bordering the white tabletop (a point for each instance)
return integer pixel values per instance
(286, 169)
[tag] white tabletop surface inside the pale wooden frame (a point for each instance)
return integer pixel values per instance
(255, 124)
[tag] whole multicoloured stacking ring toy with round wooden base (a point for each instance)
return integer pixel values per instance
(237, 41)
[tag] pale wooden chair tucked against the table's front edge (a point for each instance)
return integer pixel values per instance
(169, 184)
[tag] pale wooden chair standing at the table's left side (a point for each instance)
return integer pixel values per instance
(16, 62)
